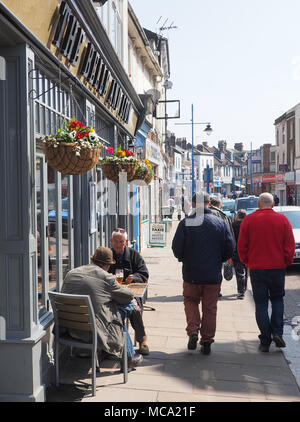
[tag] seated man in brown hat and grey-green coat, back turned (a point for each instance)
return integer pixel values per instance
(111, 303)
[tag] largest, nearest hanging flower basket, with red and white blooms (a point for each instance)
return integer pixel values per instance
(74, 149)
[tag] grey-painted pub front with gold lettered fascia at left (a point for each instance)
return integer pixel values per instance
(59, 66)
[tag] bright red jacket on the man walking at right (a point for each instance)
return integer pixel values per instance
(266, 240)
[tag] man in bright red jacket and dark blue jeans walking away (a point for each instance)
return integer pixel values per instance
(266, 246)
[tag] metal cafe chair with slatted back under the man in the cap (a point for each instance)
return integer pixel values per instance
(76, 312)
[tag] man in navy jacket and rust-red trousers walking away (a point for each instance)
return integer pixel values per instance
(202, 242)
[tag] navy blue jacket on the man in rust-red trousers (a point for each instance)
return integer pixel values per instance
(202, 248)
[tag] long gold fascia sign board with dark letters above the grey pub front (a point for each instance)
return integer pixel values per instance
(57, 27)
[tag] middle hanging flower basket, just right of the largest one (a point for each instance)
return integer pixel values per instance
(119, 161)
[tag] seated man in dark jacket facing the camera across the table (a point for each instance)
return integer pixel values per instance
(135, 271)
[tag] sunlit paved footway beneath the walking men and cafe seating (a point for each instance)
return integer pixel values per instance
(235, 371)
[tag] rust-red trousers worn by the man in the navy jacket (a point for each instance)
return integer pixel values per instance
(207, 294)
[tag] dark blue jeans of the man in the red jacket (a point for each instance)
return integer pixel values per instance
(268, 284)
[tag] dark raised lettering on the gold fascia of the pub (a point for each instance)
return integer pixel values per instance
(68, 38)
